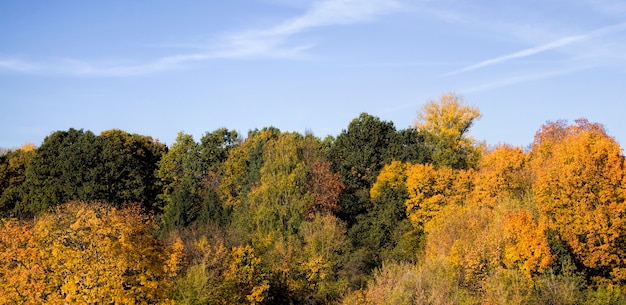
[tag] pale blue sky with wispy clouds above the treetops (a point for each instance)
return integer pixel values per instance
(157, 68)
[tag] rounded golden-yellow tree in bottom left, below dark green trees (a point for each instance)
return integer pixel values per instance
(96, 254)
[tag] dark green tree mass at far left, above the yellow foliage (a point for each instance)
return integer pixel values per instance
(77, 165)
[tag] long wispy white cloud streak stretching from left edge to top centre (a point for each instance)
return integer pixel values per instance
(271, 42)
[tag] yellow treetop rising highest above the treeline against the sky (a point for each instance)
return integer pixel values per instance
(446, 124)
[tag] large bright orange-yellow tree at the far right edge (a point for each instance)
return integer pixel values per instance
(579, 191)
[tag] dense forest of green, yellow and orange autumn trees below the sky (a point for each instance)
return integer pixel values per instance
(374, 215)
